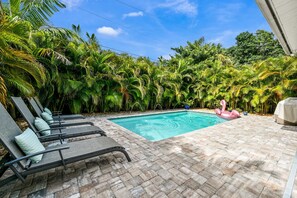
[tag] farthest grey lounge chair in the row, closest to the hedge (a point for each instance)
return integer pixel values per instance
(59, 115)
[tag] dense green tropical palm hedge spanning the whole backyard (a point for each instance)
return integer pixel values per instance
(75, 75)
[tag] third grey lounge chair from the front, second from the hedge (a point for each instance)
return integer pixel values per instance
(22, 107)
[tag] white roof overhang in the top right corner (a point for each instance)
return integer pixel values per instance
(282, 18)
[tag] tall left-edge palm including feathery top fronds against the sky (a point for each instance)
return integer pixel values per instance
(20, 72)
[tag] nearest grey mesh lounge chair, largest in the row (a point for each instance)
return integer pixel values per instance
(56, 156)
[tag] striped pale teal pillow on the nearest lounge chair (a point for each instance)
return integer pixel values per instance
(29, 144)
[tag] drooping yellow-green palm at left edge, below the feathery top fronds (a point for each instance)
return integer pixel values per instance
(19, 69)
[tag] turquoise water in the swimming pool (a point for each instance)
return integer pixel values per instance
(162, 126)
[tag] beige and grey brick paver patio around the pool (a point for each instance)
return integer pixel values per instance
(247, 157)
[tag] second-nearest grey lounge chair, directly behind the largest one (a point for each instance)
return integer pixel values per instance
(67, 132)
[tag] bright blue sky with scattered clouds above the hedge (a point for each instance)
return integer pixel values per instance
(152, 27)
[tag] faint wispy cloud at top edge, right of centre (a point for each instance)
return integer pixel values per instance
(181, 6)
